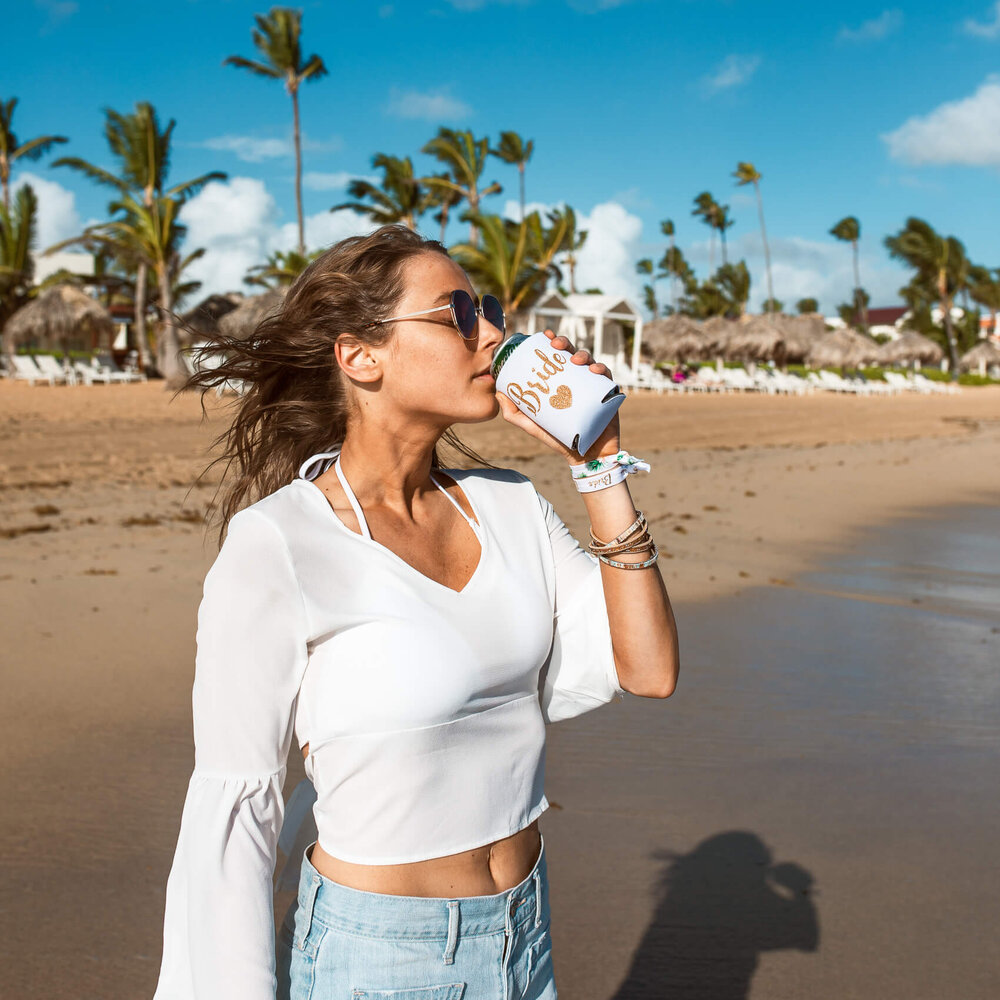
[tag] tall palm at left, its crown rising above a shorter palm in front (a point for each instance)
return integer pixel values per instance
(142, 151)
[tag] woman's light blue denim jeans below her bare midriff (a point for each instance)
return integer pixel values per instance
(339, 943)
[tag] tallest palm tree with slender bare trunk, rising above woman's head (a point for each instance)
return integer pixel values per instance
(277, 38)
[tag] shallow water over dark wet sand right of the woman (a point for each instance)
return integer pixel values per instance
(816, 810)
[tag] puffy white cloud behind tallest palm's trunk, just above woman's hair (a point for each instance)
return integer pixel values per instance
(238, 223)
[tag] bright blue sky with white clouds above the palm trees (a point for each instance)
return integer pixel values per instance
(634, 107)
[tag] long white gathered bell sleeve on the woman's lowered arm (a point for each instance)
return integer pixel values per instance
(218, 930)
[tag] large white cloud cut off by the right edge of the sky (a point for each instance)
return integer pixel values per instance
(964, 132)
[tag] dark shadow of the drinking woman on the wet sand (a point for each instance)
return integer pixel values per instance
(719, 907)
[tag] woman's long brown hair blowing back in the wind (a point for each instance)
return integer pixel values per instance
(295, 402)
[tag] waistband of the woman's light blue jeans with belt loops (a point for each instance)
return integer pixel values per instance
(383, 915)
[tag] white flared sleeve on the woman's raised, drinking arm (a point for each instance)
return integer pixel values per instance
(579, 673)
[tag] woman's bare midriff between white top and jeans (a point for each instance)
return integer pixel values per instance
(482, 871)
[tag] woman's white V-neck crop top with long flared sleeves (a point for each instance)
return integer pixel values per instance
(424, 707)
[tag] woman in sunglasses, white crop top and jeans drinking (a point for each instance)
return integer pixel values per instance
(414, 628)
